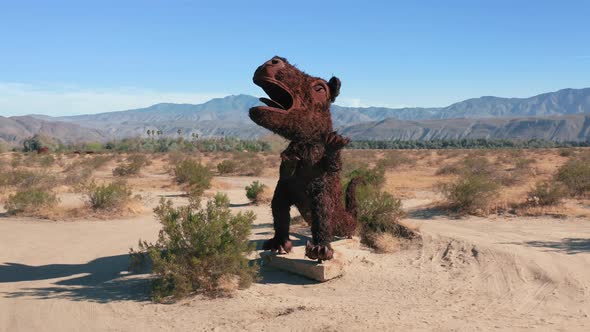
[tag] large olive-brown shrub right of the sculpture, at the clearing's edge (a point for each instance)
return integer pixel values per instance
(471, 193)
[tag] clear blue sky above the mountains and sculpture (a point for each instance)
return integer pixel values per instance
(72, 57)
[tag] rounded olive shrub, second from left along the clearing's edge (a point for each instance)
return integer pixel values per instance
(111, 196)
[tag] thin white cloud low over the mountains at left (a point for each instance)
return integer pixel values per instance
(21, 99)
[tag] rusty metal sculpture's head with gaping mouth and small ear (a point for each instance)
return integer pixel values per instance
(298, 105)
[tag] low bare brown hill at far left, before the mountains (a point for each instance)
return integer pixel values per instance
(14, 130)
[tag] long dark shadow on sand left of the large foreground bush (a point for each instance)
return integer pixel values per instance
(101, 280)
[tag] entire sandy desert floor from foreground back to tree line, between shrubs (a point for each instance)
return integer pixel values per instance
(510, 269)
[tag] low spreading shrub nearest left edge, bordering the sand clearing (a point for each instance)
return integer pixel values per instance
(28, 201)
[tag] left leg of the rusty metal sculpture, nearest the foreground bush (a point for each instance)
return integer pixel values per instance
(281, 205)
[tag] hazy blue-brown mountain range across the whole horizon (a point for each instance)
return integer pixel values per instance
(561, 115)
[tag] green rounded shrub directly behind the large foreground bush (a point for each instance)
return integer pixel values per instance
(194, 175)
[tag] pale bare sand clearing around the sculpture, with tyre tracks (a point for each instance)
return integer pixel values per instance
(470, 274)
